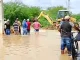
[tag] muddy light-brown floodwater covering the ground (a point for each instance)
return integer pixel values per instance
(45, 46)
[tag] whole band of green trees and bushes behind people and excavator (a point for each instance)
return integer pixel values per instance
(21, 11)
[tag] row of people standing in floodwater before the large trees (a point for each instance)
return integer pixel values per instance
(25, 26)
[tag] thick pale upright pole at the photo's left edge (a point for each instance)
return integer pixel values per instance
(1, 18)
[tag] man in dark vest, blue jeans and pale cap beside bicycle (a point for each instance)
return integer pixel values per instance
(65, 31)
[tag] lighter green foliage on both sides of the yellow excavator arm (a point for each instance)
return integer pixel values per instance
(52, 13)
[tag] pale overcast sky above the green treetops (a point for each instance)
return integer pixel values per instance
(74, 4)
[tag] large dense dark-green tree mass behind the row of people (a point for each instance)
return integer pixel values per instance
(18, 10)
